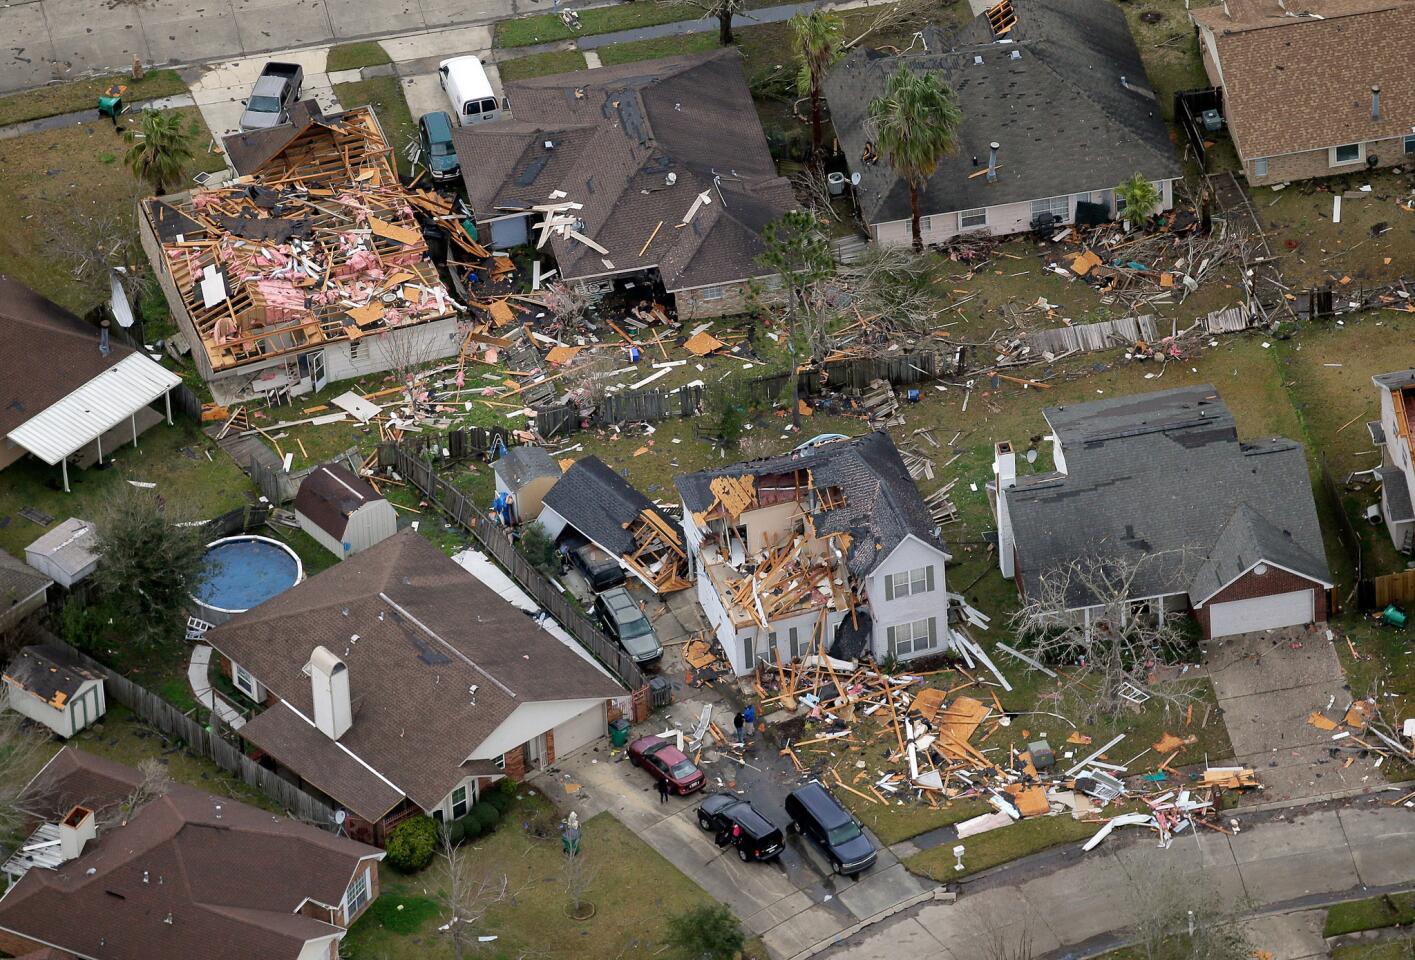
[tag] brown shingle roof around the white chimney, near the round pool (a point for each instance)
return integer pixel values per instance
(417, 634)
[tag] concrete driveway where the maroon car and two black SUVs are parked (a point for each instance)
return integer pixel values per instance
(793, 903)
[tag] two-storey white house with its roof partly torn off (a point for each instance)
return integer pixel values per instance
(830, 546)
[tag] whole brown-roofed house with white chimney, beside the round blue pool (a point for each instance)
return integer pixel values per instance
(395, 685)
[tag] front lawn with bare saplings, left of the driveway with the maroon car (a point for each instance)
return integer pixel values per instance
(635, 891)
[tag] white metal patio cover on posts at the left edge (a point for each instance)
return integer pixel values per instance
(96, 408)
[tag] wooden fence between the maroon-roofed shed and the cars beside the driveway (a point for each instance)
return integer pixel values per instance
(495, 540)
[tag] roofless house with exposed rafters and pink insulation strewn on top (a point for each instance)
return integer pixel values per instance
(312, 268)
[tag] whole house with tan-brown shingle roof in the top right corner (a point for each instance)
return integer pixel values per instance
(1312, 88)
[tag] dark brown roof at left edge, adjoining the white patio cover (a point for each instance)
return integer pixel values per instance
(33, 328)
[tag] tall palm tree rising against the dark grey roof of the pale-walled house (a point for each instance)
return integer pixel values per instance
(916, 122)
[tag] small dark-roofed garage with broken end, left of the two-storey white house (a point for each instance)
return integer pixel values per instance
(603, 508)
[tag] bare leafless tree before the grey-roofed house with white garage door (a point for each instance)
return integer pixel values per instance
(1083, 617)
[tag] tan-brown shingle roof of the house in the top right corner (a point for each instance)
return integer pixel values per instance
(1295, 84)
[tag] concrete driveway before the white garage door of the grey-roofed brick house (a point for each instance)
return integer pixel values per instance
(1267, 686)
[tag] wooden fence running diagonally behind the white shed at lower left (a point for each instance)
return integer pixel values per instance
(158, 713)
